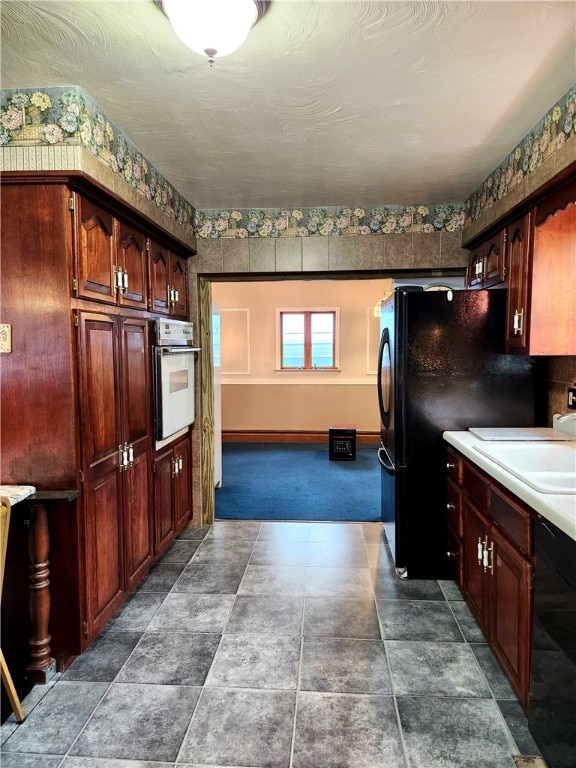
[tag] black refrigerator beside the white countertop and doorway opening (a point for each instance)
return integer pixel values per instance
(441, 366)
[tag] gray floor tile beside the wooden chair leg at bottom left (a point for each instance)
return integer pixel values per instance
(54, 724)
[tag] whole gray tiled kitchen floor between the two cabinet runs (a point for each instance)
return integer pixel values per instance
(278, 645)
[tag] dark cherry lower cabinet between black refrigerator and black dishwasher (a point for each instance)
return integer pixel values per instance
(496, 547)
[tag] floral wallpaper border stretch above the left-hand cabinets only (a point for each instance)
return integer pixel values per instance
(53, 116)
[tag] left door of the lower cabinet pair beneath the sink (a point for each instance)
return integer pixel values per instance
(476, 585)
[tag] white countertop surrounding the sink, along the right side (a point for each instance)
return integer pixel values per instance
(559, 509)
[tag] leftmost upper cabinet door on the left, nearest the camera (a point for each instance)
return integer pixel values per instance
(95, 251)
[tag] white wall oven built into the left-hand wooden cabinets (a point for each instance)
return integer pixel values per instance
(174, 357)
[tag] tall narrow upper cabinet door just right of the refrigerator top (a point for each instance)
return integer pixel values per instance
(518, 270)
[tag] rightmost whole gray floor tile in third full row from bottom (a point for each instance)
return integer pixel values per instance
(418, 620)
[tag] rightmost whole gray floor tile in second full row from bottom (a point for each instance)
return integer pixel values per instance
(435, 669)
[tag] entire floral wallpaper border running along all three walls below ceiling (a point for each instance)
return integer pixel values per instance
(53, 116)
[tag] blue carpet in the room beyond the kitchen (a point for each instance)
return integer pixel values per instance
(288, 481)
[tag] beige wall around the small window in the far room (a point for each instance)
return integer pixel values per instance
(258, 397)
